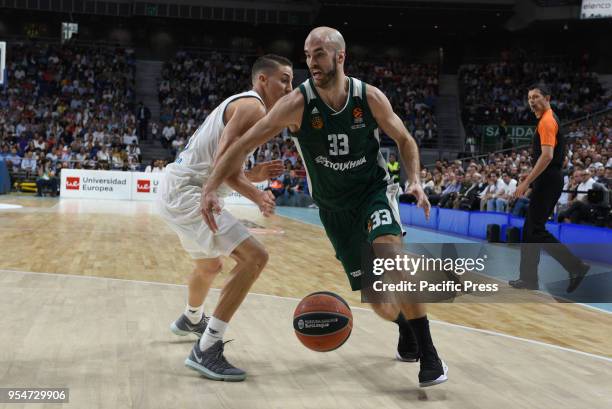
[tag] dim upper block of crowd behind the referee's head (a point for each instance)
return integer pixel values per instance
(496, 93)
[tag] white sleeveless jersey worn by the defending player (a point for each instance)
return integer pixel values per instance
(195, 162)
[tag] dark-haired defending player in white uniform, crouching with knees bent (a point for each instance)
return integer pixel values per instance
(180, 207)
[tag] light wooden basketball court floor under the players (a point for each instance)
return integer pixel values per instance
(108, 339)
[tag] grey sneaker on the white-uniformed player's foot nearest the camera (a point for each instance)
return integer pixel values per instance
(212, 364)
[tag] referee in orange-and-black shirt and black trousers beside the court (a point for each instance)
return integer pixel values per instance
(546, 180)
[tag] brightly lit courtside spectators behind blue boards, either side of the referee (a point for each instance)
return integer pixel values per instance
(489, 185)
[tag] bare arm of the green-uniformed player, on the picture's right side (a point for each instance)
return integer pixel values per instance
(393, 126)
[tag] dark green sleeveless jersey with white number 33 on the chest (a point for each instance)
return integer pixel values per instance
(340, 150)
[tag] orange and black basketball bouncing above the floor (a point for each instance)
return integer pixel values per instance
(322, 321)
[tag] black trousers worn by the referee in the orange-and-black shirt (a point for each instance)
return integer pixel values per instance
(545, 193)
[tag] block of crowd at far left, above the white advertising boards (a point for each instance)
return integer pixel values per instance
(68, 106)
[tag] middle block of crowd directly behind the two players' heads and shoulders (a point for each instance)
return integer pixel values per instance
(190, 88)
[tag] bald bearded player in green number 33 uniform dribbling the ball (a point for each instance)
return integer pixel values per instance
(335, 121)
